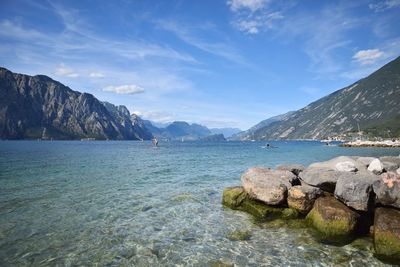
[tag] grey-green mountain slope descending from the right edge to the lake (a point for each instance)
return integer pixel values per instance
(370, 102)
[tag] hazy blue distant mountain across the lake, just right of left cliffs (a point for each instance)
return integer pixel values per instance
(179, 130)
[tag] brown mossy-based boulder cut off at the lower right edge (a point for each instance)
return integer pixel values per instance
(387, 233)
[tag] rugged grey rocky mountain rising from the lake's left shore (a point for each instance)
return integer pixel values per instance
(32, 106)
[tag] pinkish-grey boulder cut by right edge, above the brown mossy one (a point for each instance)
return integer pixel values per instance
(387, 189)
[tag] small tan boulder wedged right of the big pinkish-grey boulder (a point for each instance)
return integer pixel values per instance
(302, 197)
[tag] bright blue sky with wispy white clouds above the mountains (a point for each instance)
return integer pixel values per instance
(220, 63)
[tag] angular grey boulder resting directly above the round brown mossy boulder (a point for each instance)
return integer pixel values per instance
(356, 190)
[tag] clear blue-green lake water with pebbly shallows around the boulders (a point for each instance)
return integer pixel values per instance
(125, 203)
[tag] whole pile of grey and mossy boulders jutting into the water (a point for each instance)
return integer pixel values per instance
(342, 199)
